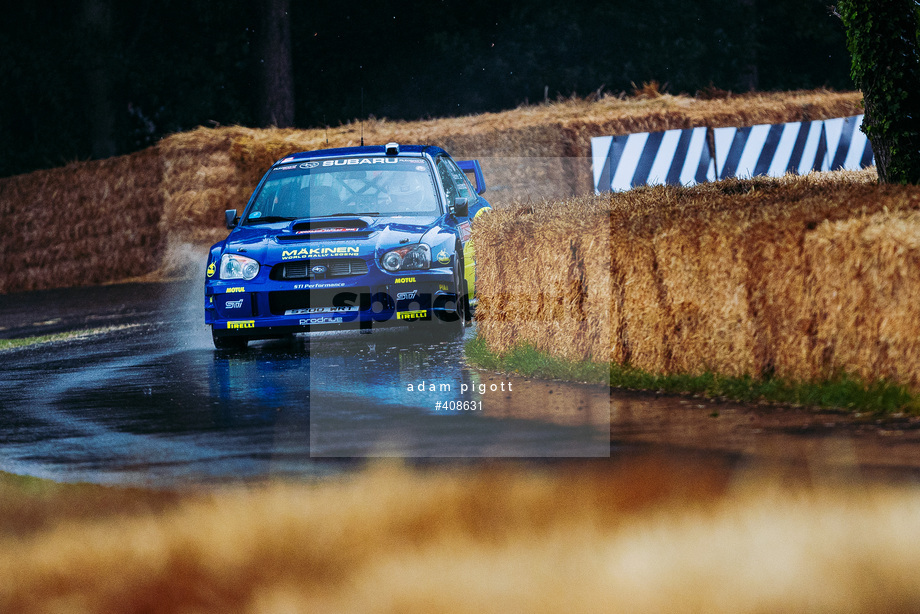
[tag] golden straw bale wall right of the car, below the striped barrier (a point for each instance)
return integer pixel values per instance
(803, 277)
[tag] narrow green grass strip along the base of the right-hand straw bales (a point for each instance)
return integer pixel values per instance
(841, 392)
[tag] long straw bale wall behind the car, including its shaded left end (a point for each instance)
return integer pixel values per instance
(152, 213)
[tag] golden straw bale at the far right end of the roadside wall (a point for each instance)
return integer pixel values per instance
(865, 273)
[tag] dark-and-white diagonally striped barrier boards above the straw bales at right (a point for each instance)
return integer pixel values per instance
(683, 157)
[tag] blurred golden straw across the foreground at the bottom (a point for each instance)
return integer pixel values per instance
(647, 536)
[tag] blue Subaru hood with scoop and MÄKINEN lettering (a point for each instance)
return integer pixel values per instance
(329, 237)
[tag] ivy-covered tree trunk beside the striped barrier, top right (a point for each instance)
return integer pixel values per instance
(882, 36)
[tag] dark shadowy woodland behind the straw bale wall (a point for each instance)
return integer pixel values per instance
(172, 65)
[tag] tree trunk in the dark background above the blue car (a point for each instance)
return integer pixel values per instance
(274, 67)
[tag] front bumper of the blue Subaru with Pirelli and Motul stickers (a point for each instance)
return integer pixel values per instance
(267, 308)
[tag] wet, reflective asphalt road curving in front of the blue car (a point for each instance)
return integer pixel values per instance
(151, 402)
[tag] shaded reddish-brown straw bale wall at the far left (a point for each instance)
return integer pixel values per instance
(83, 224)
